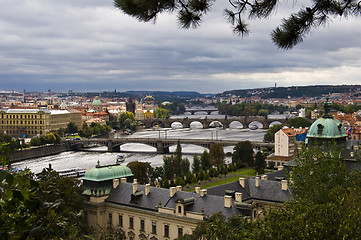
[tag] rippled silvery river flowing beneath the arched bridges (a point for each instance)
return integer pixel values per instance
(87, 160)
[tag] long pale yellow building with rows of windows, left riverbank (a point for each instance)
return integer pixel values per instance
(36, 122)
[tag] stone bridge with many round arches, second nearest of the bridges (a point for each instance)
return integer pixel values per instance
(206, 122)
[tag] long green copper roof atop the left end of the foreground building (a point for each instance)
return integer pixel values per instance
(108, 172)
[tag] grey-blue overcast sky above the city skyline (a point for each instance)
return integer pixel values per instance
(88, 45)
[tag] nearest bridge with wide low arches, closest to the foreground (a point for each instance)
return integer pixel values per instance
(162, 145)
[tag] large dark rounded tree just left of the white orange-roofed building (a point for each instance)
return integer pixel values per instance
(243, 154)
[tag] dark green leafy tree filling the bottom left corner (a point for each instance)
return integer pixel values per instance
(42, 207)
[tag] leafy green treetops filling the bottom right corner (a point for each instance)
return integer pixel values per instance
(326, 205)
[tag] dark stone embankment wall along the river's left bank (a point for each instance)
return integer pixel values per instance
(38, 152)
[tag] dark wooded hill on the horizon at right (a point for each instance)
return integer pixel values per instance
(295, 91)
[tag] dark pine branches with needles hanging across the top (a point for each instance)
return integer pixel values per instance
(291, 31)
